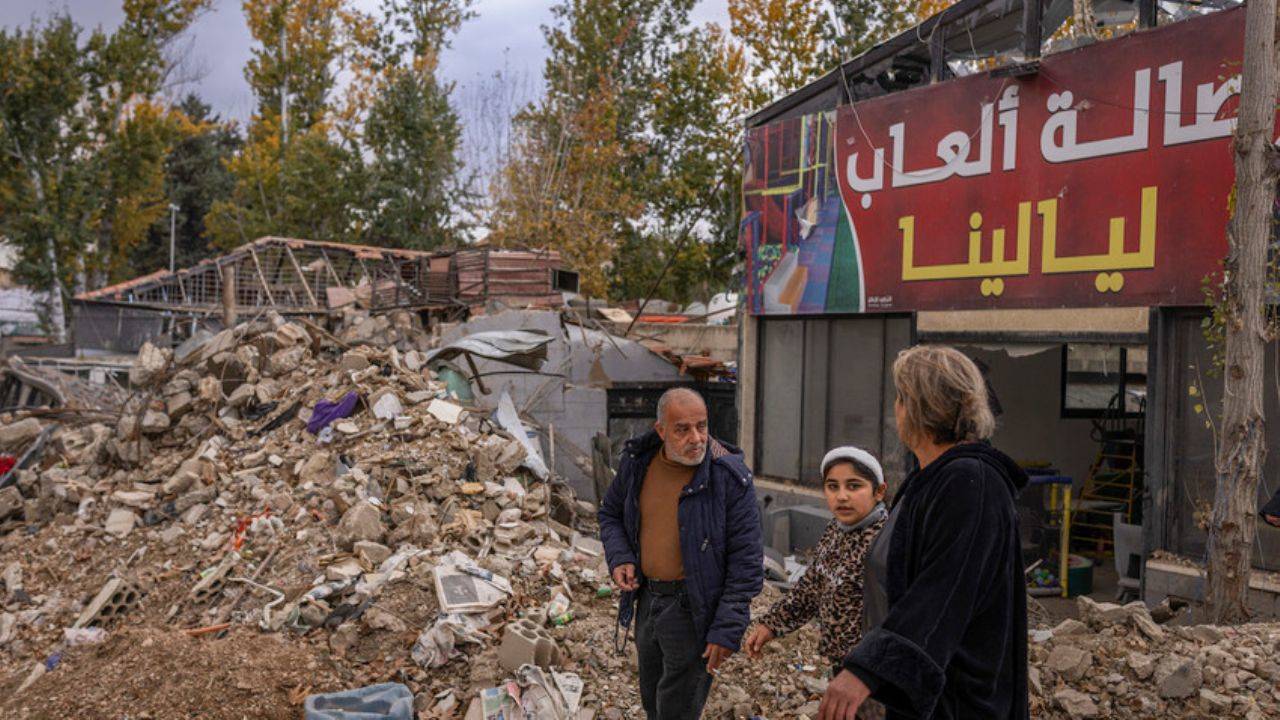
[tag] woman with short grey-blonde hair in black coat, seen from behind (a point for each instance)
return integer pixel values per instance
(945, 603)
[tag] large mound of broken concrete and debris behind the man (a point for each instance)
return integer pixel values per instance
(280, 491)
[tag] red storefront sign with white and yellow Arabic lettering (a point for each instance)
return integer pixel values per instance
(1100, 181)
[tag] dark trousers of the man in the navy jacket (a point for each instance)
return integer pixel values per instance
(674, 678)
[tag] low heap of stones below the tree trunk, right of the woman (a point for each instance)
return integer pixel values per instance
(1118, 662)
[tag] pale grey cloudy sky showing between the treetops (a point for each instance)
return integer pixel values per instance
(505, 35)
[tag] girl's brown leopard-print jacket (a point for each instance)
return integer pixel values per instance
(831, 590)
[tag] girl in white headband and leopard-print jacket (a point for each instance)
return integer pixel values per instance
(831, 589)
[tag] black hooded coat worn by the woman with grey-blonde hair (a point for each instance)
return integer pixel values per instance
(954, 644)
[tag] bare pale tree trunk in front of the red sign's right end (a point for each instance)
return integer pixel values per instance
(1242, 441)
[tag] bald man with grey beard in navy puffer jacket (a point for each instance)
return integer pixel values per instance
(682, 535)
